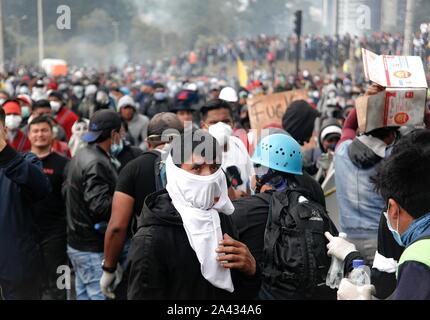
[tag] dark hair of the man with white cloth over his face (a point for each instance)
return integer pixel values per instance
(195, 142)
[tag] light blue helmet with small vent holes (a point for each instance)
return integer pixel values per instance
(279, 152)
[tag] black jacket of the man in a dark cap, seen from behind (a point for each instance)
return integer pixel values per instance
(89, 190)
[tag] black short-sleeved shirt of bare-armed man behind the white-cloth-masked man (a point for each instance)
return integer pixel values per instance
(137, 180)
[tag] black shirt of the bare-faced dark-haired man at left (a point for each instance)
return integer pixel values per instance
(50, 213)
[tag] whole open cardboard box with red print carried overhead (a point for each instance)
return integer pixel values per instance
(403, 102)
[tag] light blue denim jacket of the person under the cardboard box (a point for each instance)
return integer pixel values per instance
(360, 206)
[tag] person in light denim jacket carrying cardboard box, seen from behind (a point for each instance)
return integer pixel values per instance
(359, 206)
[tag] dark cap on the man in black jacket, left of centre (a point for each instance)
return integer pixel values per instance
(100, 122)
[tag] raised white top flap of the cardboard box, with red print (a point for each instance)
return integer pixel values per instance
(394, 71)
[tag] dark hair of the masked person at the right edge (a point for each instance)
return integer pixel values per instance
(405, 175)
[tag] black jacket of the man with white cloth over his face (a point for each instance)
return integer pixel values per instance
(163, 266)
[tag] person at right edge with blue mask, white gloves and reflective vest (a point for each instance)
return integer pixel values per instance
(405, 220)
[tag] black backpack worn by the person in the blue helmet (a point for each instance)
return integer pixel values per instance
(295, 263)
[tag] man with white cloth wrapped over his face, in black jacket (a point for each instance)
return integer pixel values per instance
(185, 246)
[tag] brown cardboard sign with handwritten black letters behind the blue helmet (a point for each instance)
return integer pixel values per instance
(264, 110)
